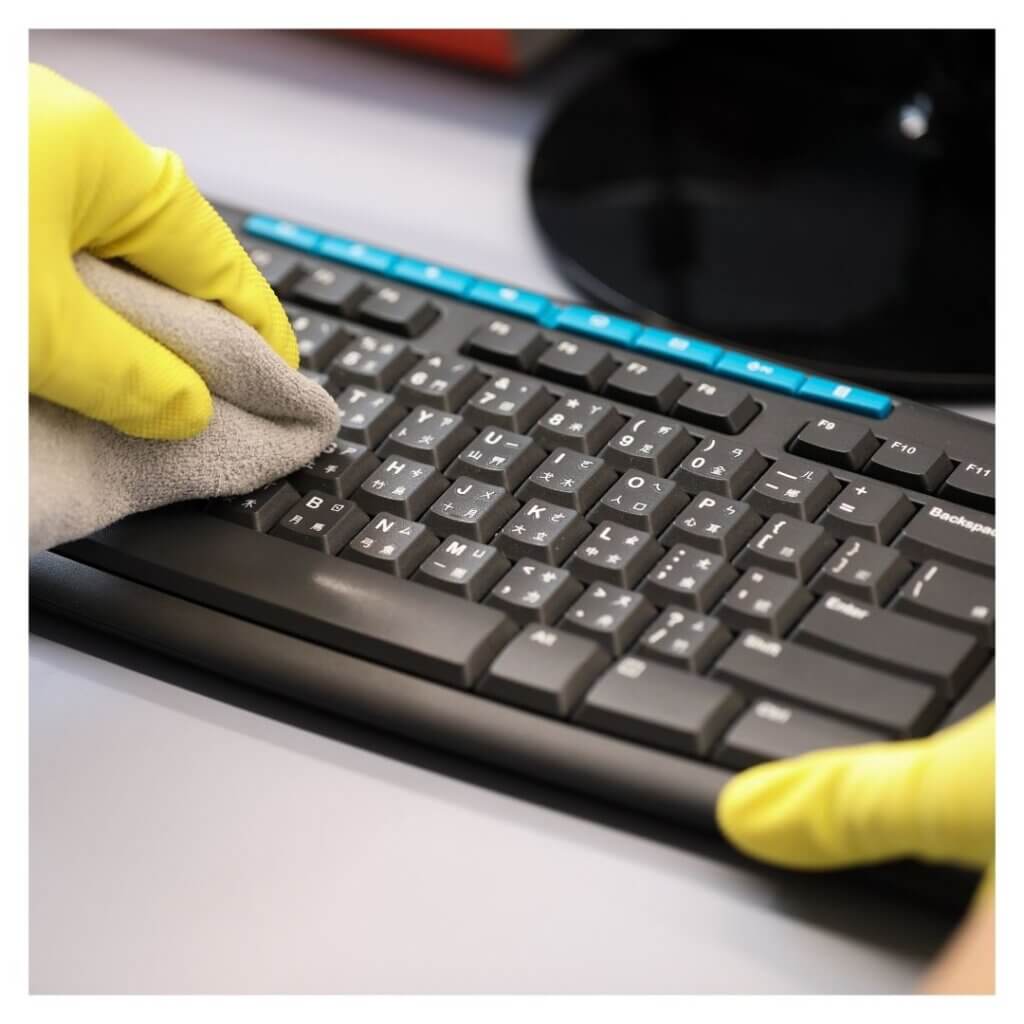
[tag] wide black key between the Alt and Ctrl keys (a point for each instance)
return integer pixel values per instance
(644, 701)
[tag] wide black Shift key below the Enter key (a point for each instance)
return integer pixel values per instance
(760, 666)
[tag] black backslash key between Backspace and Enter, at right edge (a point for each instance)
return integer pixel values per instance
(951, 598)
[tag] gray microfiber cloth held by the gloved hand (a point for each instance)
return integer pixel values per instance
(268, 420)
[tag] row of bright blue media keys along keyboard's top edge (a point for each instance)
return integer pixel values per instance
(578, 320)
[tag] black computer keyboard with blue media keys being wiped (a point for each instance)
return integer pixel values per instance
(613, 558)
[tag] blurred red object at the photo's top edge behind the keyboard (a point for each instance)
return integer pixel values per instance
(505, 51)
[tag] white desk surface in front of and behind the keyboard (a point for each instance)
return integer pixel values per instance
(183, 840)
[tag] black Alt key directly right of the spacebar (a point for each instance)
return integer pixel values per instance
(545, 670)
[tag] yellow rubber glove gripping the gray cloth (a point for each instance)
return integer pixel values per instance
(95, 185)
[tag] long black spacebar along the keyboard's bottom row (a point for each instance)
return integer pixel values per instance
(336, 604)
